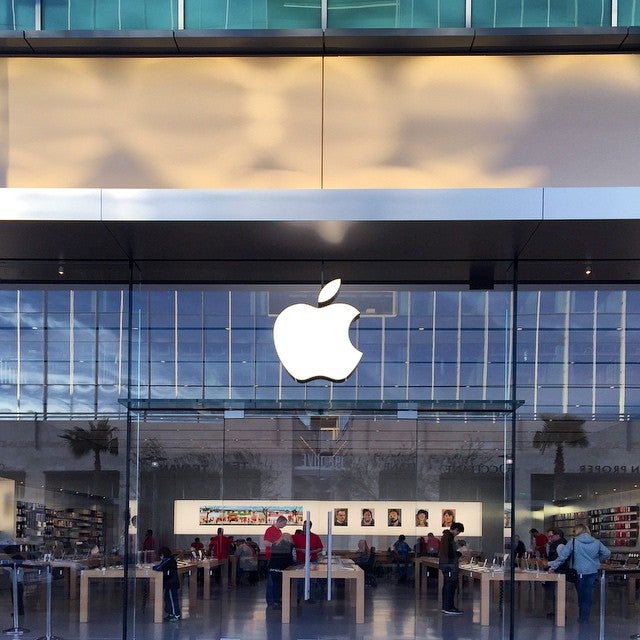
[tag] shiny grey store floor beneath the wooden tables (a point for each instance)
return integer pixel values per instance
(393, 611)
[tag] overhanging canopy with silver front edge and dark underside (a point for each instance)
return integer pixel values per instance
(300, 236)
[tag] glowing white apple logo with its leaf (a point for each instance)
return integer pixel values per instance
(313, 342)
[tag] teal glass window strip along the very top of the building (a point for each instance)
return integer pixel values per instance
(313, 14)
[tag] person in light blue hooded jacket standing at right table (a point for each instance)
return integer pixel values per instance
(588, 554)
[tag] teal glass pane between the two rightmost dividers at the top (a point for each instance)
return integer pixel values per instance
(541, 13)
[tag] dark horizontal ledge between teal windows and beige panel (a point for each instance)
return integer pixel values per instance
(317, 42)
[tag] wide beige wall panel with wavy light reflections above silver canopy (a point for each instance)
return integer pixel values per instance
(304, 122)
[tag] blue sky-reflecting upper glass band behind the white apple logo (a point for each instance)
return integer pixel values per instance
(65, 351)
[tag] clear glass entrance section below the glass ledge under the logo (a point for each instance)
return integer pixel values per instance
(366, 481)
